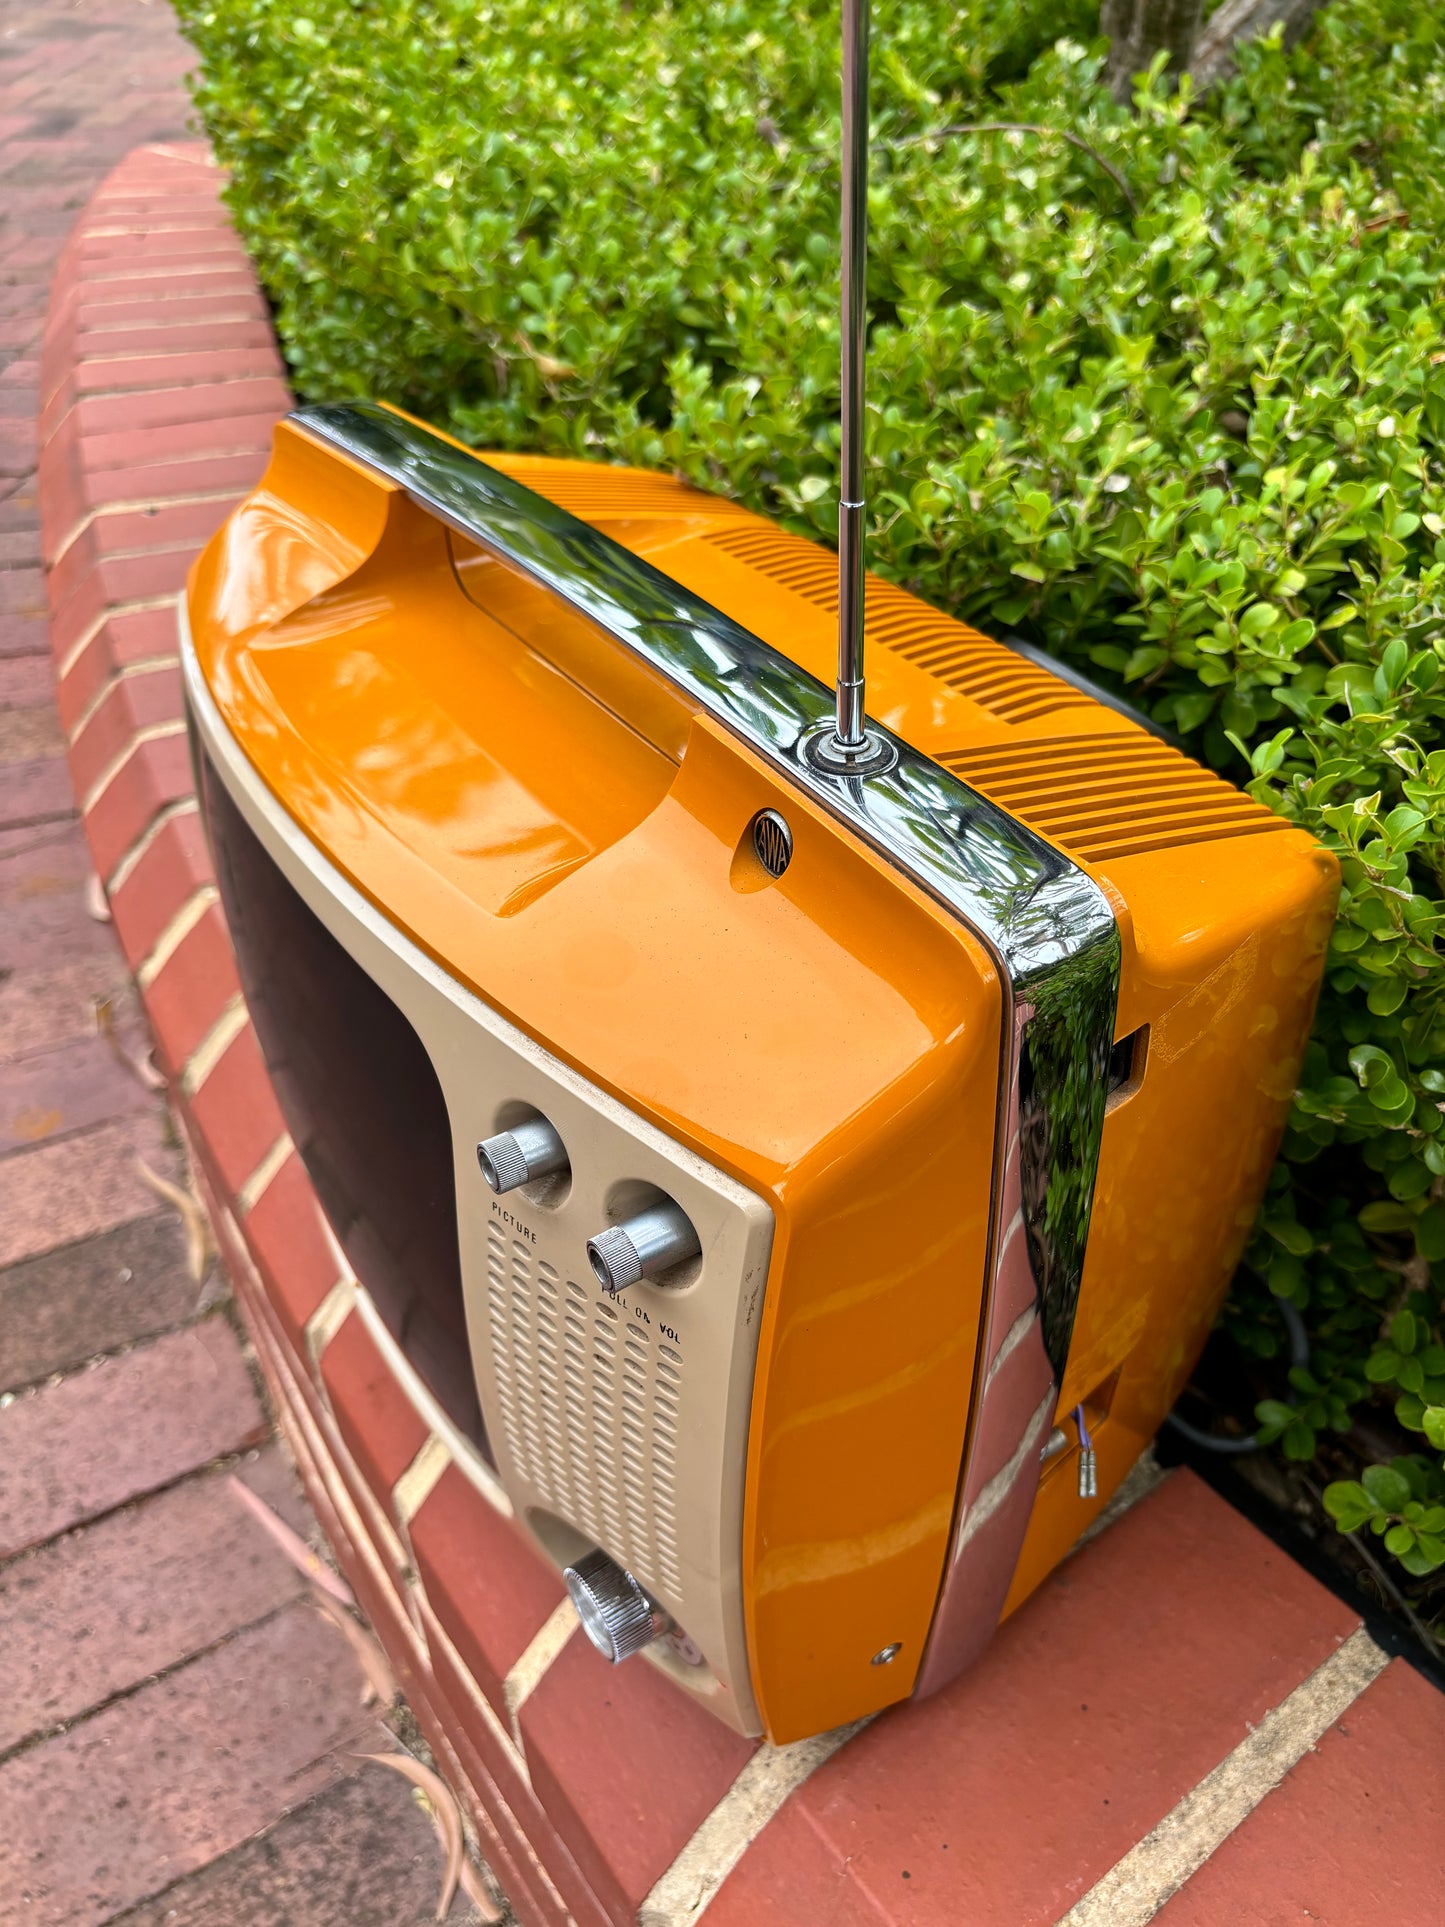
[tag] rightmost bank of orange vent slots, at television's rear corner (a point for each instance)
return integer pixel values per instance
(1111, 797)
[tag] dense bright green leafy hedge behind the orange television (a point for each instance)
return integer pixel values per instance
(1170, 402)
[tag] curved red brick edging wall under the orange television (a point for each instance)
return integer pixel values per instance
(1070, 1766)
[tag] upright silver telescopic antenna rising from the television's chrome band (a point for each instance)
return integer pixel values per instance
(851, 747)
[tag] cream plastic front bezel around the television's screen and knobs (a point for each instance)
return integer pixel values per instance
(485, 1067)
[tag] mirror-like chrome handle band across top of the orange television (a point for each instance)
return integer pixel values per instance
(1045, 920)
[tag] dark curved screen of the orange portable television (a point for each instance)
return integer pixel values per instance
(361, 1101)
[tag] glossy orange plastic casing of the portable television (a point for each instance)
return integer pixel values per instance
(560, 830)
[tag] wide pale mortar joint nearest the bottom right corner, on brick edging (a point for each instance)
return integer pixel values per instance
(1136, 1887)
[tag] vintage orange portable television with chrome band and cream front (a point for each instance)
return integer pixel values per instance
(795, 1159)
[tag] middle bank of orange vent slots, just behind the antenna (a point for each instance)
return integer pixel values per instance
(980, 668)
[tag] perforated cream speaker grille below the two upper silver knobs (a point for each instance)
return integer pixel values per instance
(591, 1408)
